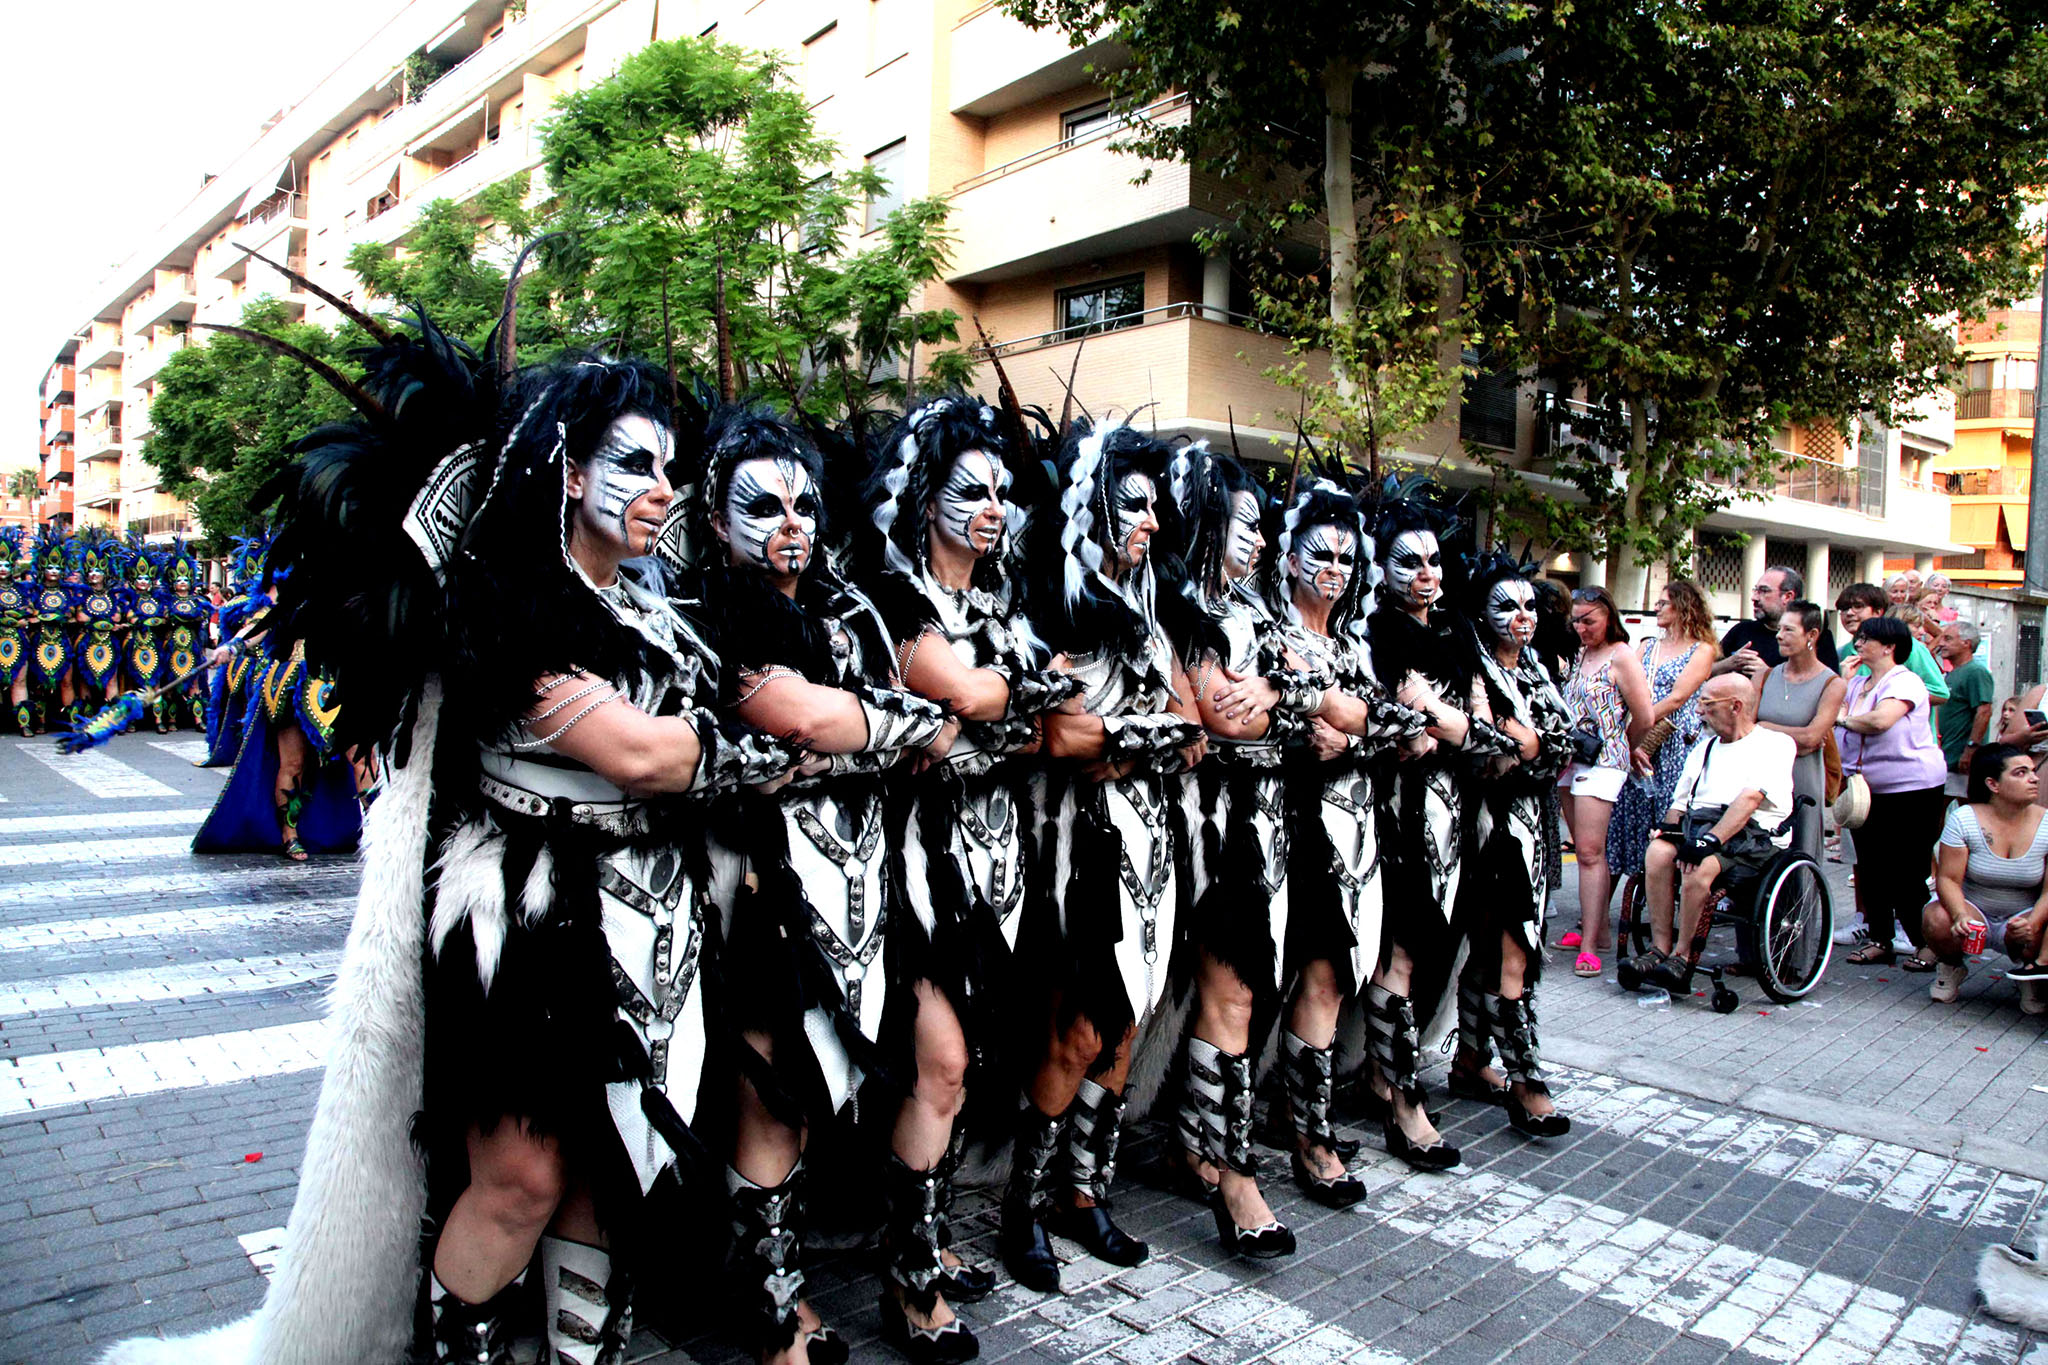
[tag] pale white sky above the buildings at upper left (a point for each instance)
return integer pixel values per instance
(114, 116)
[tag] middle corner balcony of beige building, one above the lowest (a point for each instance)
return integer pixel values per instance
(1076, 202)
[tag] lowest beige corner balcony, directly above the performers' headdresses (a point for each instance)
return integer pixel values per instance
(1201, 367)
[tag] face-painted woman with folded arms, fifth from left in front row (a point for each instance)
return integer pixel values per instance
(1250, 703)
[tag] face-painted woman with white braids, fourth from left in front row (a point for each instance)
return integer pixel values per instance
(1103, 910)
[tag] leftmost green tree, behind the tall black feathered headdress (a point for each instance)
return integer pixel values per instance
(228, 412)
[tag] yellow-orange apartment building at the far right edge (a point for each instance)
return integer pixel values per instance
(1990, 472)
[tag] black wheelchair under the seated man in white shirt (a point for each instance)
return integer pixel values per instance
(1783, 922)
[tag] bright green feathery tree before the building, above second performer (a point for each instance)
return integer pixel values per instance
(697, 202)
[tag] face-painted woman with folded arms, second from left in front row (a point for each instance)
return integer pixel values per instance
(810, 662)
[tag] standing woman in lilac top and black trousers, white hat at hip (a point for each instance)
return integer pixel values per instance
(1887, 738)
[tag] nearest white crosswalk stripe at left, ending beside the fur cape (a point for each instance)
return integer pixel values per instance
(54, 1080)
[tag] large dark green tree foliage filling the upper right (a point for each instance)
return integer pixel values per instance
(1709, 218)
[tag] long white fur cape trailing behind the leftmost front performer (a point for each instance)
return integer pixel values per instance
(349, 1274)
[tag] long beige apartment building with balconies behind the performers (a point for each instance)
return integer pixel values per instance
(1060, 253)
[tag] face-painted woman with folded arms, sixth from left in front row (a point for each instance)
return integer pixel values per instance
(1334, 861)
